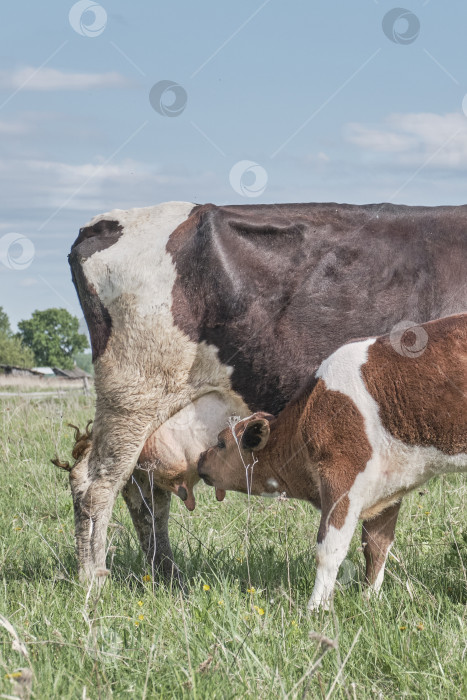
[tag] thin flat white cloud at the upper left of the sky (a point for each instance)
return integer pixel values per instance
(46, 79)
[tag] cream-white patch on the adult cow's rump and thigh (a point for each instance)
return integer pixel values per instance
(150, 369)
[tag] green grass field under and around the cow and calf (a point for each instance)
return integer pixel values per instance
(240, 630)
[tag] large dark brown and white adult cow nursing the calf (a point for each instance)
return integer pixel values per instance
(238, 305)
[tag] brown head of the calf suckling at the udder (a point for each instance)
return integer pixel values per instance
(233, 464)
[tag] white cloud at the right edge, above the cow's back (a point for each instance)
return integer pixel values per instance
(437, 140)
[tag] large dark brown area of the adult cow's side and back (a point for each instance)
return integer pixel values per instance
(277, 288)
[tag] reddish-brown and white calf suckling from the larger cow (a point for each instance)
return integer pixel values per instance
(373, 424)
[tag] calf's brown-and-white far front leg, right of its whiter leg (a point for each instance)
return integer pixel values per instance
(377, 538)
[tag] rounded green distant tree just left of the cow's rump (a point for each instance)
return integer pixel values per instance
(53, 336)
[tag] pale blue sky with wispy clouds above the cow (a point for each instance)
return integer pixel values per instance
(127, 104)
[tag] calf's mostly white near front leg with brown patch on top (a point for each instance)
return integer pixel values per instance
(339, 517)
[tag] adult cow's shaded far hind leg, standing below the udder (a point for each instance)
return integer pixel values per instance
(149, 508)
